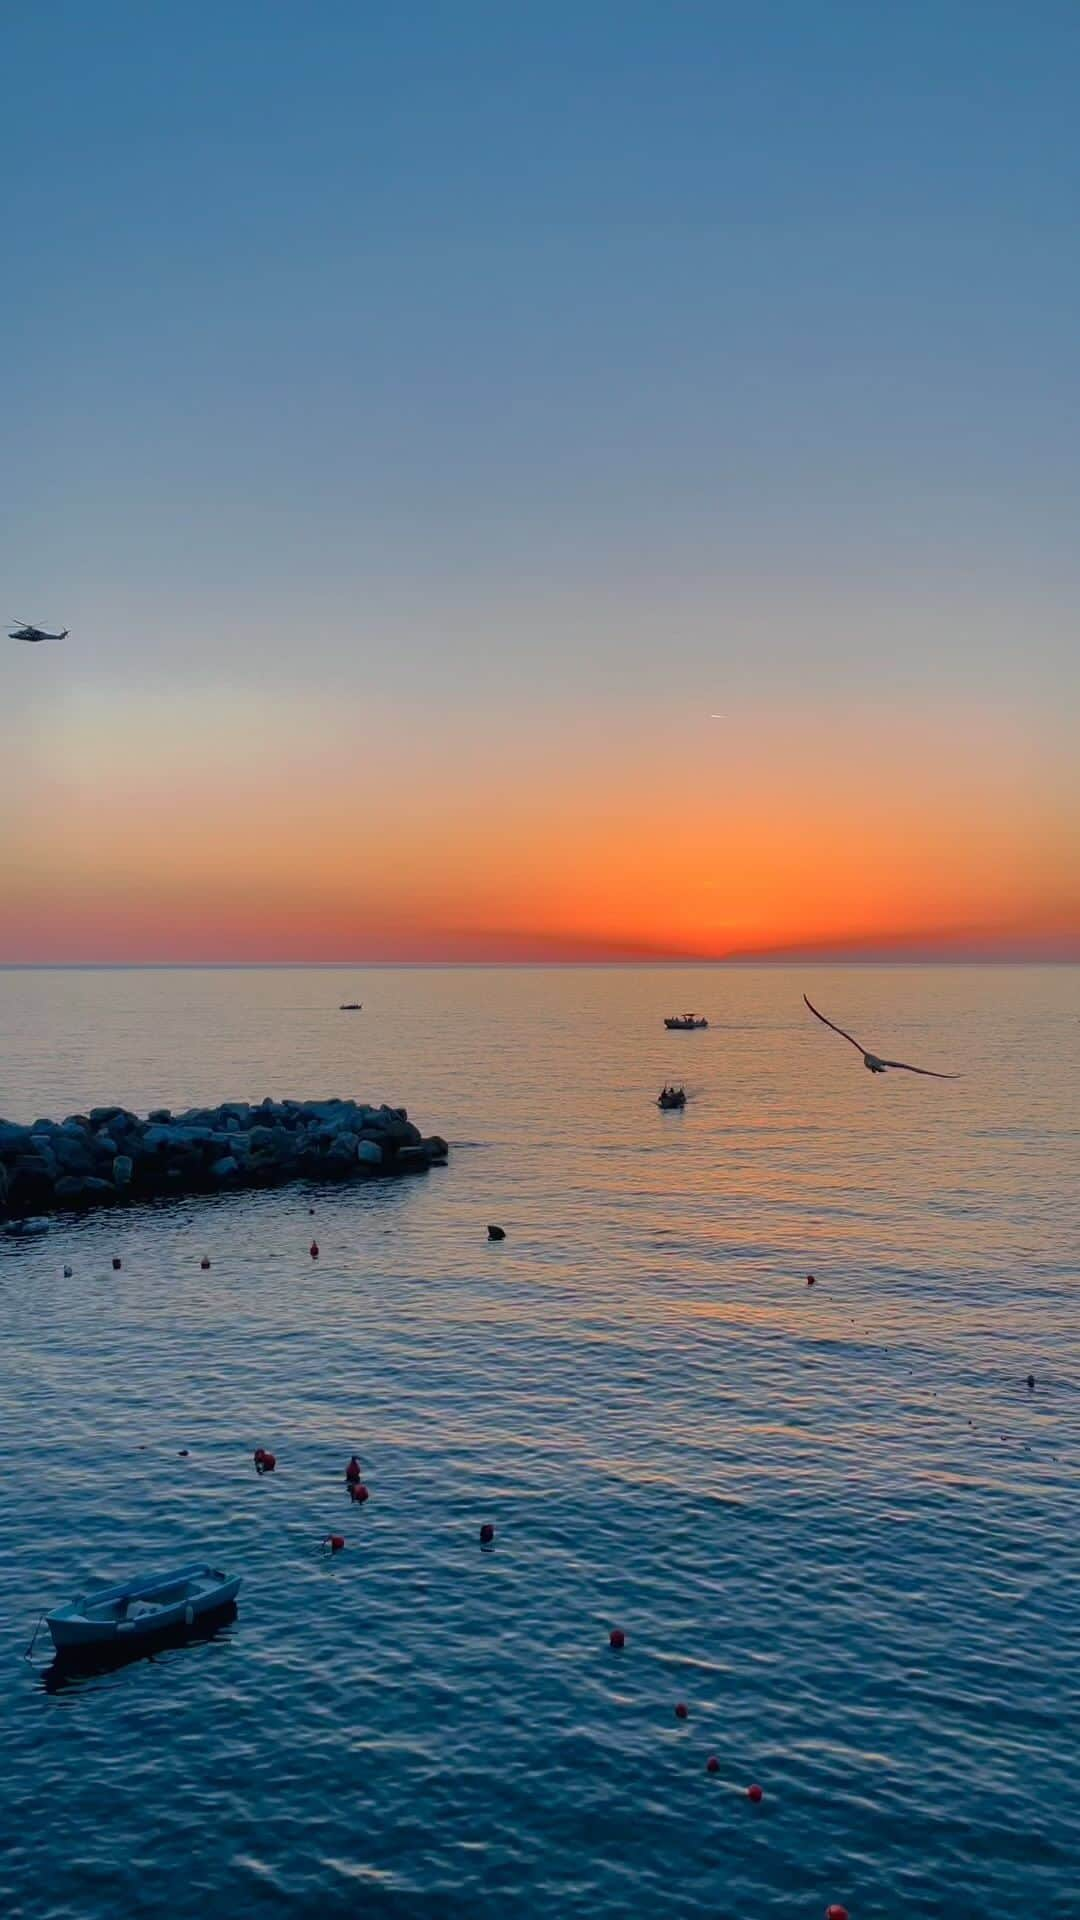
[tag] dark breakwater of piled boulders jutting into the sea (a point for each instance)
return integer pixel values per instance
(110, 1157)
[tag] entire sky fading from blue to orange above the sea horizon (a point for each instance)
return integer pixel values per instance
(430, 418)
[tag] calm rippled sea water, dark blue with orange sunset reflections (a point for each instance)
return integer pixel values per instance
(831, 1520)
